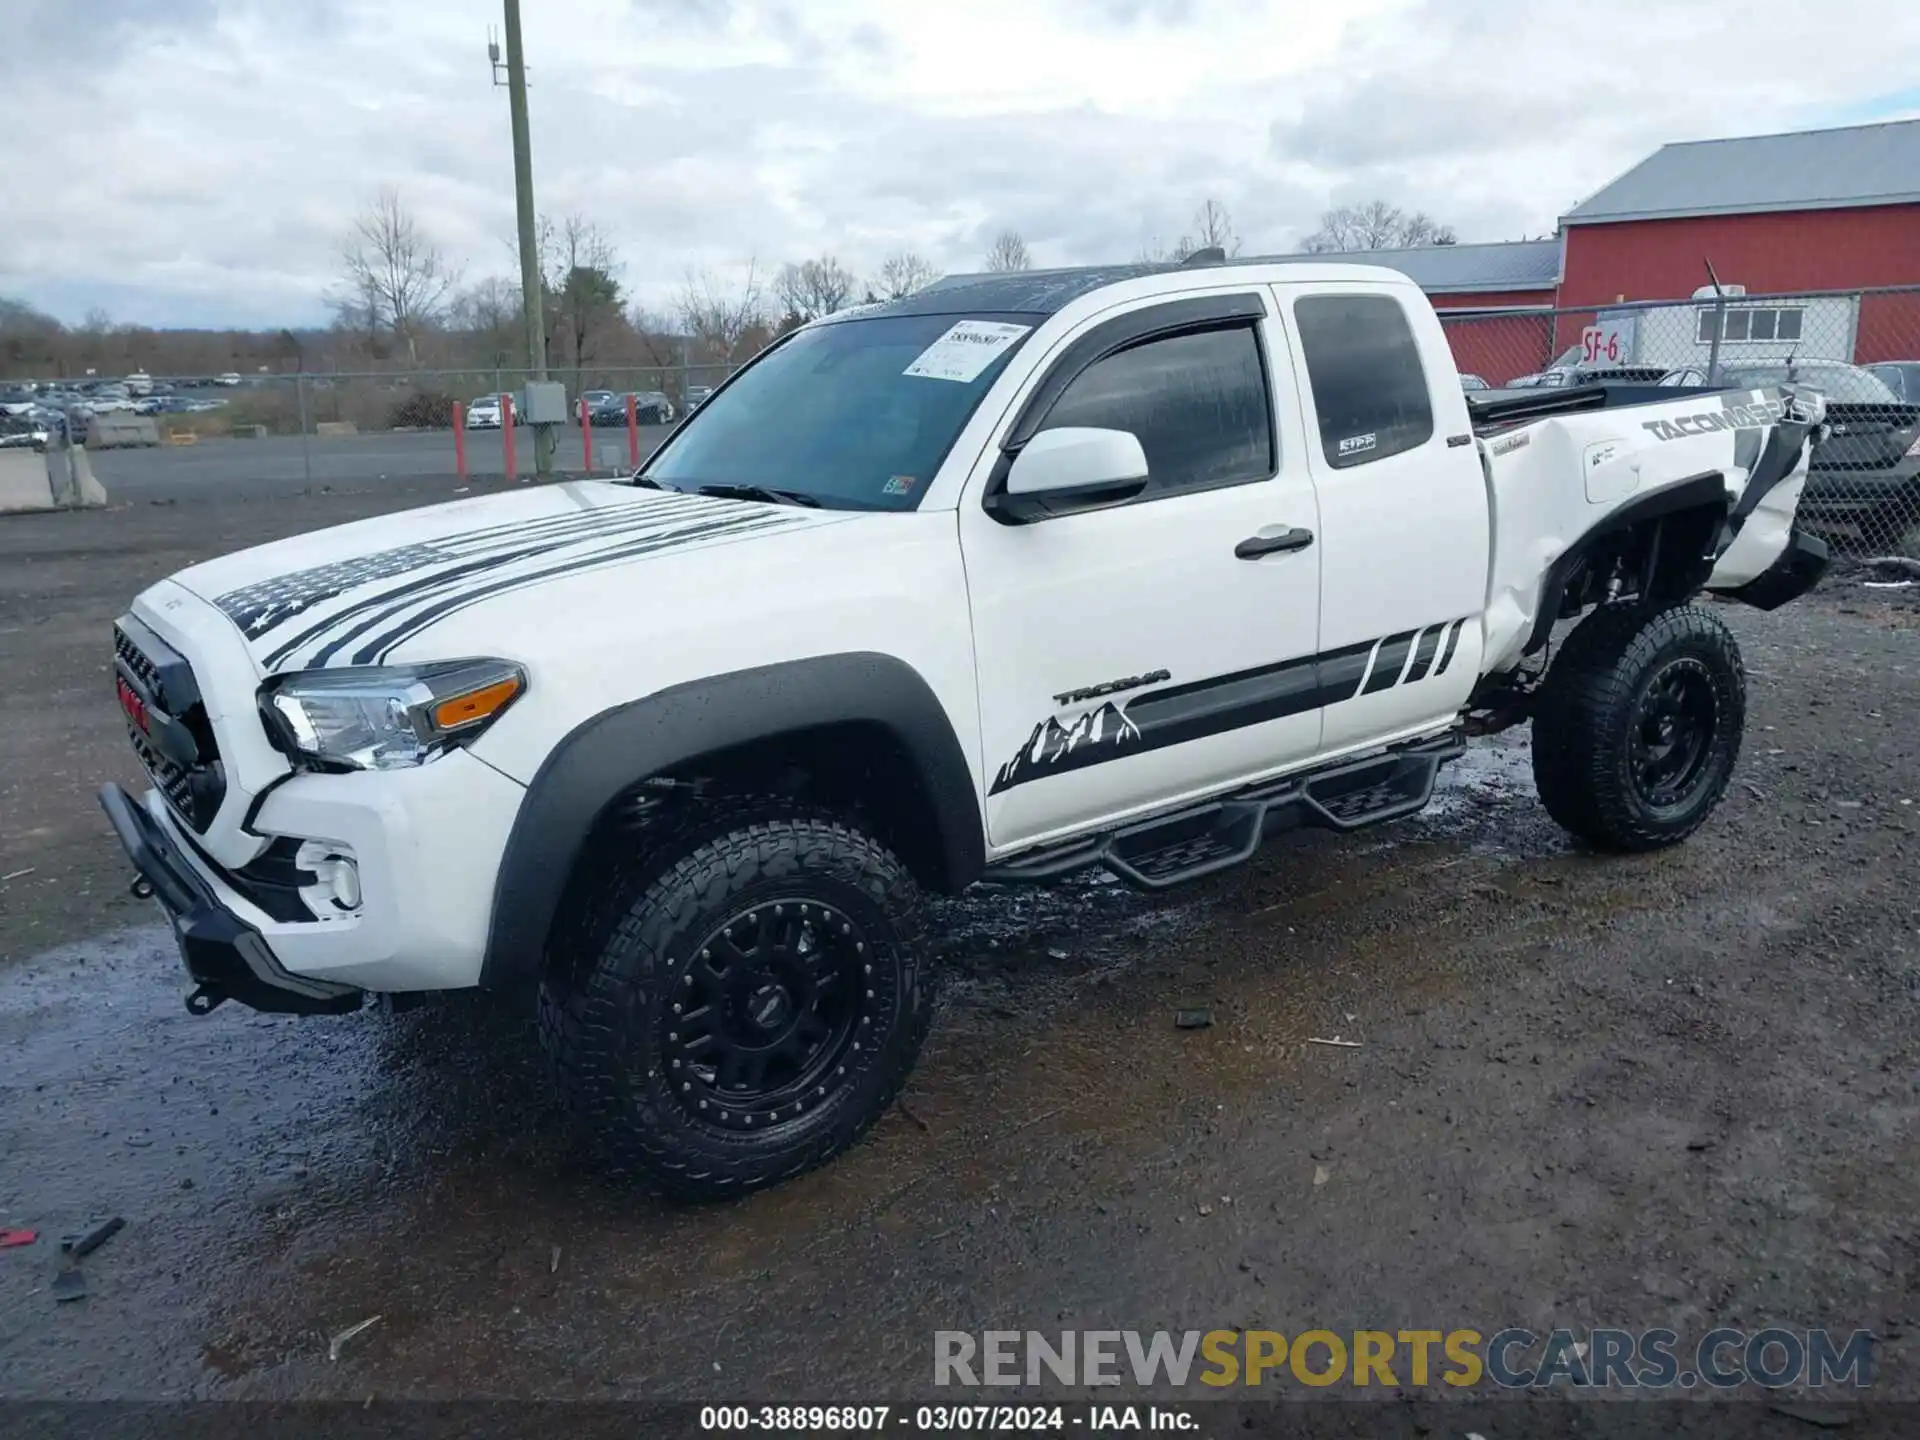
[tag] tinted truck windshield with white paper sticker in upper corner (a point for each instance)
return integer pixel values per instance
(852, 416)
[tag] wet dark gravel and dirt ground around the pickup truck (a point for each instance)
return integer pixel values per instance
(1587, 1092)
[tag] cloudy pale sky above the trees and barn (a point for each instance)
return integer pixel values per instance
(195, 162)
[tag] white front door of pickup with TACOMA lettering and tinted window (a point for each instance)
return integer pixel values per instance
(1157, 648)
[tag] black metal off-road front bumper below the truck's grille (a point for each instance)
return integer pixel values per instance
(224, 955)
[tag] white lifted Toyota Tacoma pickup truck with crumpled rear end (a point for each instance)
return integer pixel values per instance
(1015, 577)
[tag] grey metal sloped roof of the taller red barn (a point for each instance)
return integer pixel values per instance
(1764, 174)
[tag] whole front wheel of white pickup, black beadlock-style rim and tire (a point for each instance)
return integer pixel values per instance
(742, 1007)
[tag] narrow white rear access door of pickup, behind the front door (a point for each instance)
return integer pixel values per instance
(1404, 510)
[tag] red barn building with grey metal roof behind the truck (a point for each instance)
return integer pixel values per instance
(1813, 216)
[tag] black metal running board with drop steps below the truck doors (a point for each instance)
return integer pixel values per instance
(1174, 850)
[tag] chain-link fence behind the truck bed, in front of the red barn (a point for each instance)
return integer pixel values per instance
(1861, 348)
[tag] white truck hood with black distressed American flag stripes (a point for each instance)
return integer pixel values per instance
(352, 594)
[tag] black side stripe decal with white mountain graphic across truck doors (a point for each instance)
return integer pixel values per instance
(1197, 709)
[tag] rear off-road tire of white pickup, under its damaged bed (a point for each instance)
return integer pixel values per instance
(1591, 713)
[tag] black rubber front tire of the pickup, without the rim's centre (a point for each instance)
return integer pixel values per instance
(619, 967)
